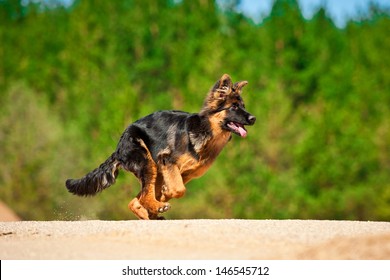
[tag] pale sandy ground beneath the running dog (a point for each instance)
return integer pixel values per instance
(195, 239)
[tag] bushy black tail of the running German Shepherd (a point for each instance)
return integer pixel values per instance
(96, 180)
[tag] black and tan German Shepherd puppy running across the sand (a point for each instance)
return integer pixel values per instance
(167, 149)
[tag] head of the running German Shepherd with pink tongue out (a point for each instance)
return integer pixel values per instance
(225, 104)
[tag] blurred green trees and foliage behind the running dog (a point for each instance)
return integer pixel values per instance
(72, 78)
